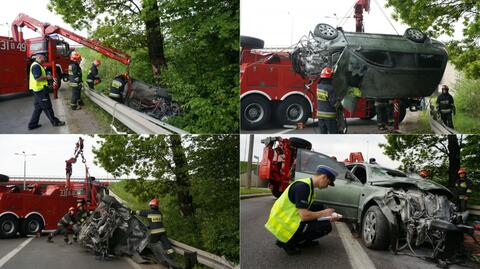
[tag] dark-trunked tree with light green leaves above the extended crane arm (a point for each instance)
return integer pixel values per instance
(126, 24)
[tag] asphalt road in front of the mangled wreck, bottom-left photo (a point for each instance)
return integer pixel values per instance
(37, 253)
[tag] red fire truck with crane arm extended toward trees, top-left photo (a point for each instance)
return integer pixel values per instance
(16, 53)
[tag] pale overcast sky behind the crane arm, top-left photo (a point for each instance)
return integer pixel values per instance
(36, 9)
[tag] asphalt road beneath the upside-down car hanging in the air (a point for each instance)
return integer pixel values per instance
(355, 126)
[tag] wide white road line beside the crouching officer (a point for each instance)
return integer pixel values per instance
(356, 255)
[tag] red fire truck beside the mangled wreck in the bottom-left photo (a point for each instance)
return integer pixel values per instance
(42, 204)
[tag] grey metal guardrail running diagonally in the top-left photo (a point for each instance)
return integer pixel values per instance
(137, 121)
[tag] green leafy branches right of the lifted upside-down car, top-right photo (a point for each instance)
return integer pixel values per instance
(439, 17)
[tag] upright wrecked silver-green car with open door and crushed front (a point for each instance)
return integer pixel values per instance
(389, 209)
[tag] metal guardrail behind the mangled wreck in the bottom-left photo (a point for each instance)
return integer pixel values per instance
(203, 257)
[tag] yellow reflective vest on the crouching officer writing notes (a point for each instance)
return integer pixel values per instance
(284, 218)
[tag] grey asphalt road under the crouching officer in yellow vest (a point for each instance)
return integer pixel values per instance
(339, 249)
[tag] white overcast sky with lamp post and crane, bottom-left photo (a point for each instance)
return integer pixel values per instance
(51, 151)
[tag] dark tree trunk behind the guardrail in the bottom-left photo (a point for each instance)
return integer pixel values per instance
(182, 180)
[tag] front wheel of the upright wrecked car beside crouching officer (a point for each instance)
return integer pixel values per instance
(375, 229)
